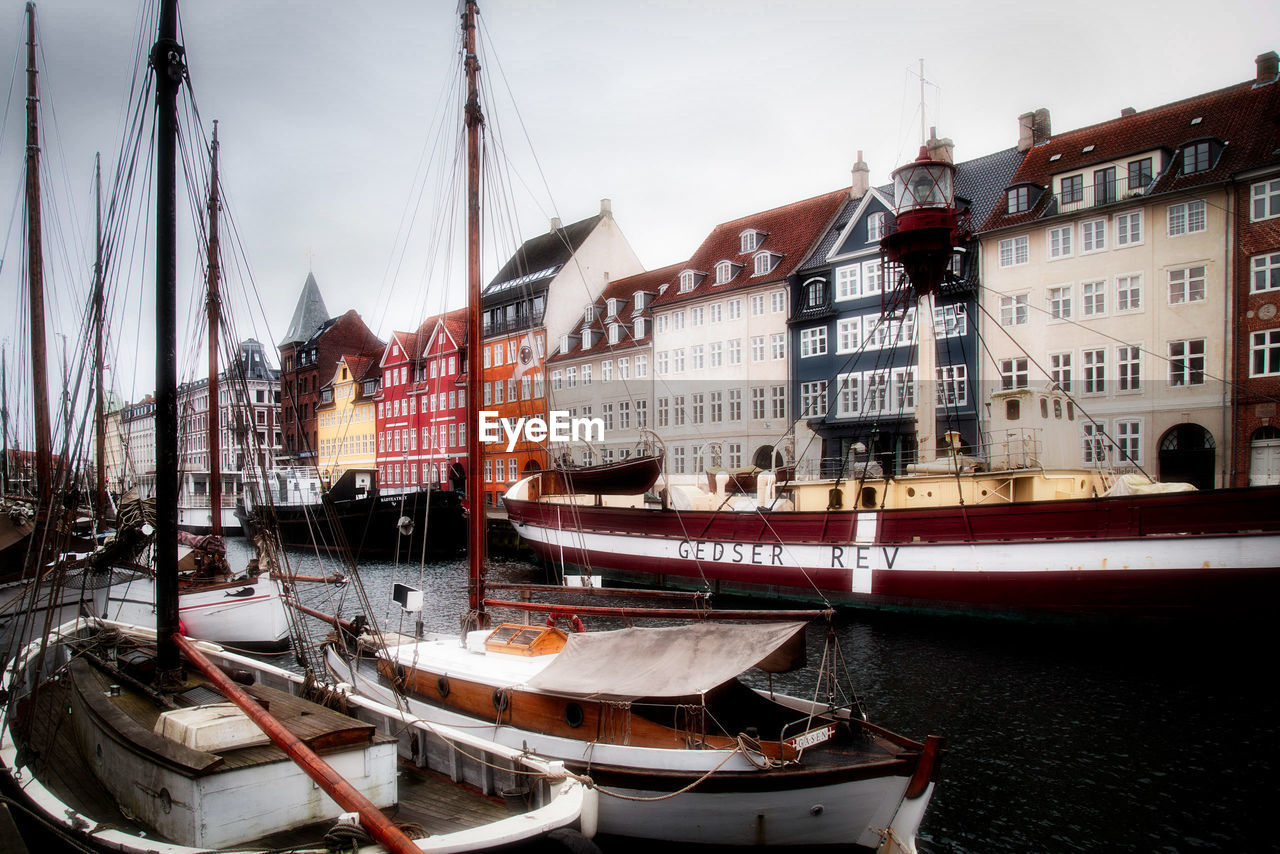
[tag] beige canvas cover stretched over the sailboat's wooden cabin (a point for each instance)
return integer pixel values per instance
(679, 661)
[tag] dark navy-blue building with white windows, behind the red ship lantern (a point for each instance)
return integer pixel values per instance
(854, 339)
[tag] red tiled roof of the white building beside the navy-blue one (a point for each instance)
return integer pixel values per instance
(790, 231)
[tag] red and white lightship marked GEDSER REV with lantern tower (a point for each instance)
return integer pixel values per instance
(1004, 531)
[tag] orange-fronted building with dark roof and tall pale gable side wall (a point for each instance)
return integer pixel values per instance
(537, 298)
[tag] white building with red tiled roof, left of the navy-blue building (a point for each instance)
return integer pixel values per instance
(720, 342)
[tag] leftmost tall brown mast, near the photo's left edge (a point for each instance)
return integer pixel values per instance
(36, 272)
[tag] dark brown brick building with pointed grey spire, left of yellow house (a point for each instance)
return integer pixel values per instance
(309, 357)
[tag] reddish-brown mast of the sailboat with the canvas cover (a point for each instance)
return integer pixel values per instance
(476, 334)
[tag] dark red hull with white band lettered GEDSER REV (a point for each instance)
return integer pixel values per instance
(1164, 555)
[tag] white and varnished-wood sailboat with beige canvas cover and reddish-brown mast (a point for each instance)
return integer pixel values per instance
(682, 750)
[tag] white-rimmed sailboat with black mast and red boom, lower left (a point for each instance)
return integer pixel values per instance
(181, 746)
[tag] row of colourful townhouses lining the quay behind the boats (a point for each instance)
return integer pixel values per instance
(1135, 264)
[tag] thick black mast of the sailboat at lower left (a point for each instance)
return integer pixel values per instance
(167, 61)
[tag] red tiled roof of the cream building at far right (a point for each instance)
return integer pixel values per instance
(1245, 117)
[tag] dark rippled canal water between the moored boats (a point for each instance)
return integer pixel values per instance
(1059, 739)
